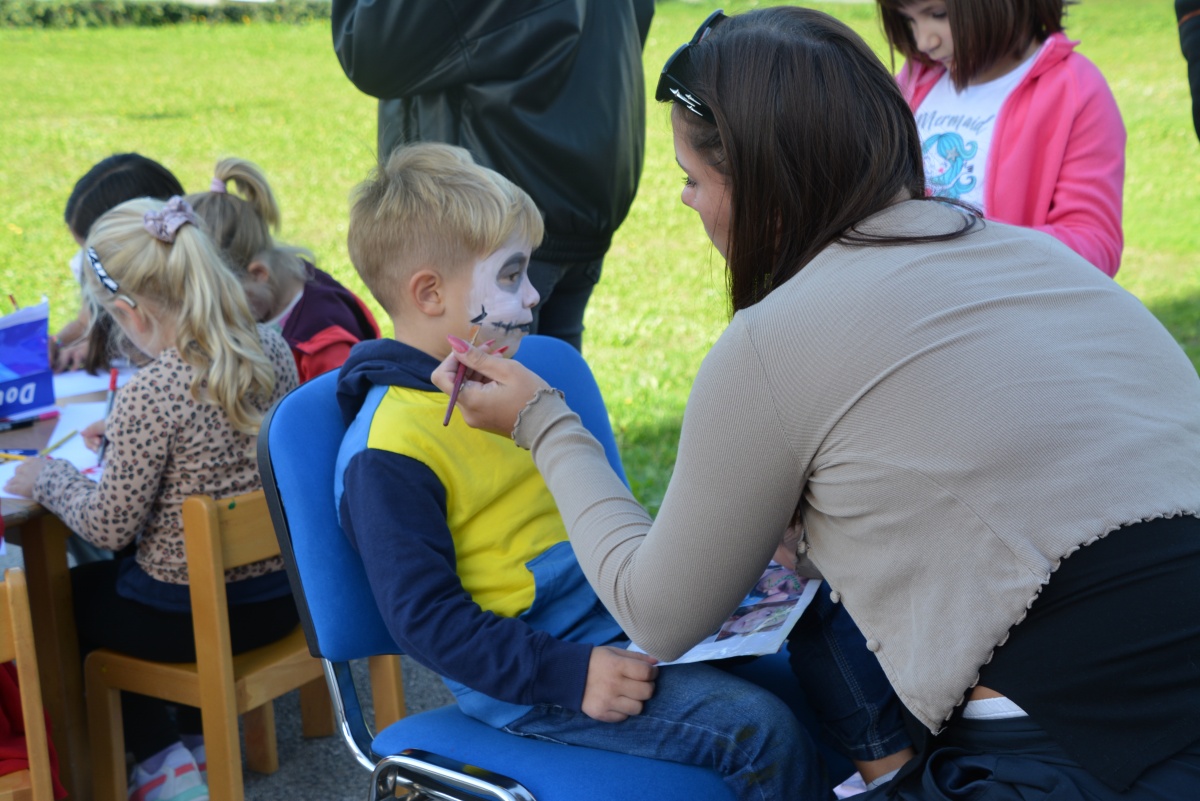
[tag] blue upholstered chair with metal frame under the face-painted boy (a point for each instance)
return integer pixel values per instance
(441, 751)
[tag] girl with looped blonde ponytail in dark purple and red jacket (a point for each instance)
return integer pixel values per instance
(320, 320)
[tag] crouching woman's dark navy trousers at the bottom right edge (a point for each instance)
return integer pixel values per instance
(1015, 760)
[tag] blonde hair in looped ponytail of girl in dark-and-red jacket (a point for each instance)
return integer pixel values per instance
(242, 226)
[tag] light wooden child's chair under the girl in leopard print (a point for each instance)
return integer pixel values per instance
(219, 535)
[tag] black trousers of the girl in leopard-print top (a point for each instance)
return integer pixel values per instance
(109, 621)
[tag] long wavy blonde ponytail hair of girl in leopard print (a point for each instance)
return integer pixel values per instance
(188, 281)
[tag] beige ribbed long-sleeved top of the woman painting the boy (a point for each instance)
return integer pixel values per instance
(952, 419)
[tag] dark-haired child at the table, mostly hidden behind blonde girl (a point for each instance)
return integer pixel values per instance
(83, 342)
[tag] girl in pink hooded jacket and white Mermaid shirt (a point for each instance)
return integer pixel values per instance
(1012, 119)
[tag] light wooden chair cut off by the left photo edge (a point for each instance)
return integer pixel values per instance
(17, 643)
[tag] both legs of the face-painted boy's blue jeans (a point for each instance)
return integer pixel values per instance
(703, 716)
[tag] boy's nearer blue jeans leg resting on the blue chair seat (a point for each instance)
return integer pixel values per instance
(703, 716)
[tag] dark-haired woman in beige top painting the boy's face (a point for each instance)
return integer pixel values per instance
(994, 449)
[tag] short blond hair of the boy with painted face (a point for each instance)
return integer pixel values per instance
(431, 206)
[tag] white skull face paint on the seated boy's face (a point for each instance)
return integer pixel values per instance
(502, 299)
